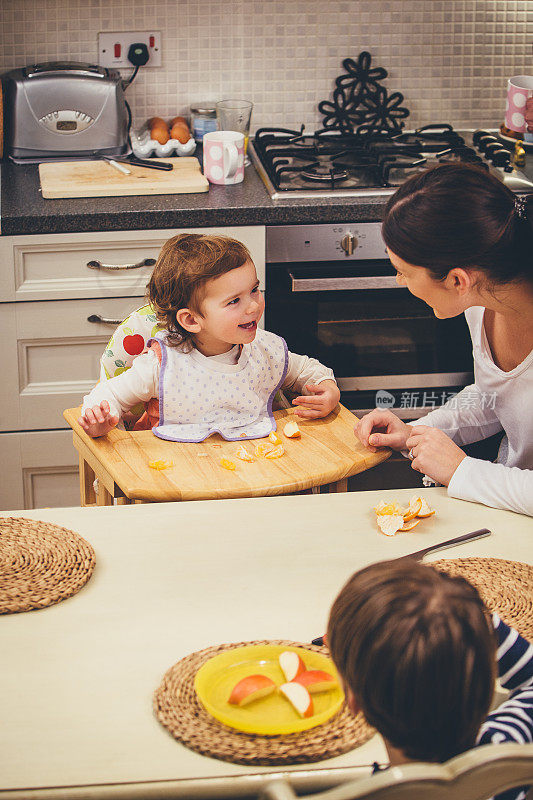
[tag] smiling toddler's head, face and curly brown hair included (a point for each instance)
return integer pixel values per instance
(205, 286)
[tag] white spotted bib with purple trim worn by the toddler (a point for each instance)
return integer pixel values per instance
(199, 396)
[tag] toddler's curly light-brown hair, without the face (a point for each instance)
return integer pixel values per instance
(184, 266)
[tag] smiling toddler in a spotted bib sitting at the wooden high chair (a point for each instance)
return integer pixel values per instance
(211, 369)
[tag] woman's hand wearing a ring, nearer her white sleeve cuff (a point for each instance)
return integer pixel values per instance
(434, 453)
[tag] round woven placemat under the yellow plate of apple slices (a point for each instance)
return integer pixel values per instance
(179, 710)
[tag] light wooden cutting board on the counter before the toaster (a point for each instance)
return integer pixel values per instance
(101, 179)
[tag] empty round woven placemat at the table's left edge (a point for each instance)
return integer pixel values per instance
(40, 564)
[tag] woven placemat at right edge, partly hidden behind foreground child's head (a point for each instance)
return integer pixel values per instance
(505, 586)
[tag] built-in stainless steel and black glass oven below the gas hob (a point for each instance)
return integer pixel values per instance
(332, 294)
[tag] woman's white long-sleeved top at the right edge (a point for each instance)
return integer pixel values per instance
(497, 401)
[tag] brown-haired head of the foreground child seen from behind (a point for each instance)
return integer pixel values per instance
(417, 653)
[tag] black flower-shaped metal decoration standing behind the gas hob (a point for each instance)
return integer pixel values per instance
(360, 103)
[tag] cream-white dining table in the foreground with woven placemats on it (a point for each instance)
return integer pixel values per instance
(77, 678)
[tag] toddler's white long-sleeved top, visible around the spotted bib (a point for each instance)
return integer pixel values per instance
(141, 381)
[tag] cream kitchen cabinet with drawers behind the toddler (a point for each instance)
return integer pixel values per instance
(50, 287)
